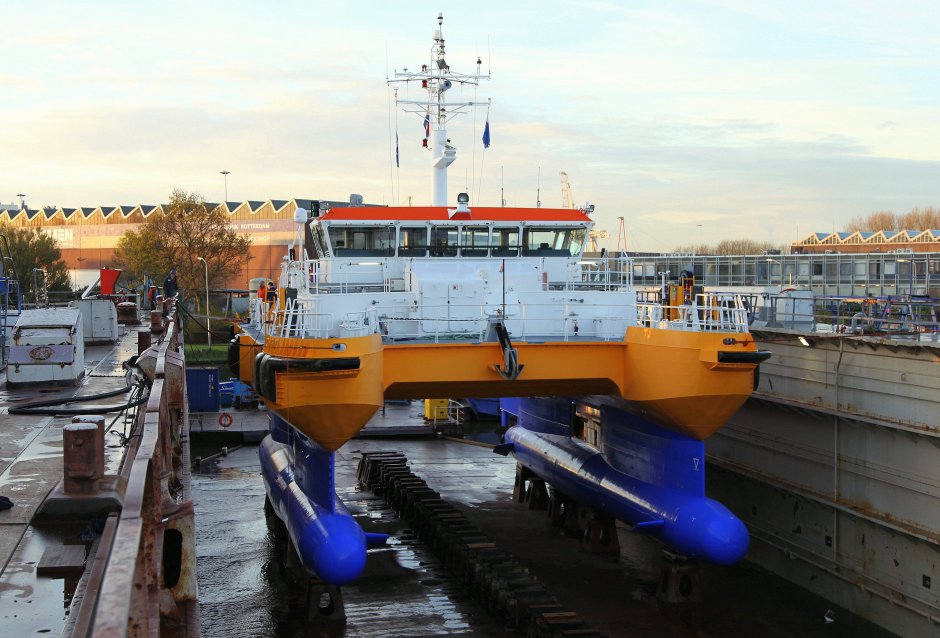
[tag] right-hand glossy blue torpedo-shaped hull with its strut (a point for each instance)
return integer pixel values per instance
(670, 504)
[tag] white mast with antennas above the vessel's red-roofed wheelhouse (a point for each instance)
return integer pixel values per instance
(437, 78)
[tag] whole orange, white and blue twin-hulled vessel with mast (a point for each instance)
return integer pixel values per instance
(615, 394)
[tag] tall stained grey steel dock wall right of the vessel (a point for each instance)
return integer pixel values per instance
(833, 467)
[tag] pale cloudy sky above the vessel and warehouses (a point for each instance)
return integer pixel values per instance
(694, 121)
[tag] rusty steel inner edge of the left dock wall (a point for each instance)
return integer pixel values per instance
(143, 581)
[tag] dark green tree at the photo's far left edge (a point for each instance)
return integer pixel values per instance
(31, 248)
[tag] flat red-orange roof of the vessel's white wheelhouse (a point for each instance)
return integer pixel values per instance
(439, 213)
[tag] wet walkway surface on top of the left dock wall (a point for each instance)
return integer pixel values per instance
(30, 467)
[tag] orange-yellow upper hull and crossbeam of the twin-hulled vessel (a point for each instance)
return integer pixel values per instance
(673, 377)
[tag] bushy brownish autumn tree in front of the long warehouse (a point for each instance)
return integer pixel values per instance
(188, 230)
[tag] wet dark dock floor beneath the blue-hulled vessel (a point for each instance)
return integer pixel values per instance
(404, 591)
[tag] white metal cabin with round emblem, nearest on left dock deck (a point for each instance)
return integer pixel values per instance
(47, 348)
